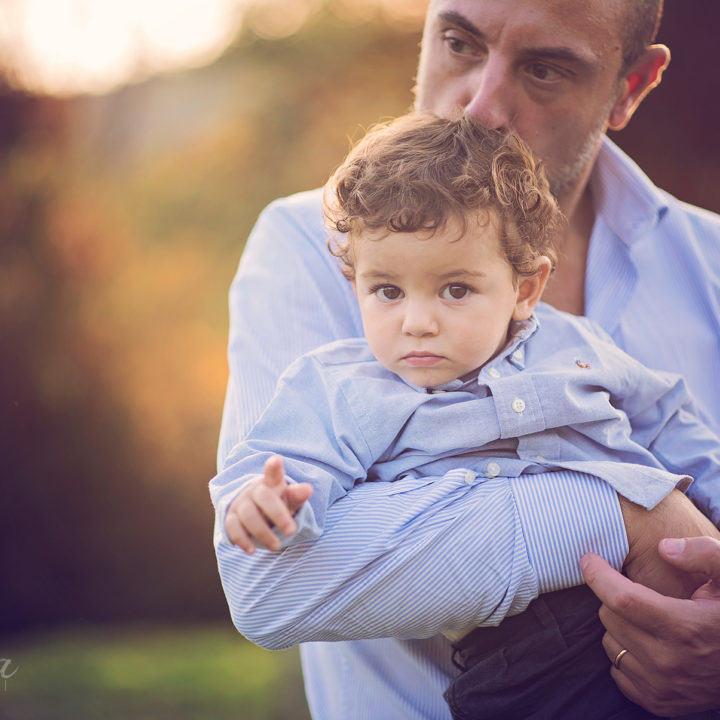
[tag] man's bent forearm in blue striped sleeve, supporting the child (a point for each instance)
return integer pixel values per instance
(411, 558)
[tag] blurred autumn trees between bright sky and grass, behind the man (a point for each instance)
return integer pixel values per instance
(122, 219)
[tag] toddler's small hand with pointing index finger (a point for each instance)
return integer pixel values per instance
(265, 502)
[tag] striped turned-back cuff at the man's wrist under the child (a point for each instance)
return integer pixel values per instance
(564, 515)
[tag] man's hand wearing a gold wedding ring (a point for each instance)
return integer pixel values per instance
(672, 666)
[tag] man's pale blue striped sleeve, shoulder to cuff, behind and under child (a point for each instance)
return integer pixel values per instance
(402, 559)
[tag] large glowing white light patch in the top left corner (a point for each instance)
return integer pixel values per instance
(66, 46)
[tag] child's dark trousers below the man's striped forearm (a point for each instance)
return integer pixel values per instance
(547, 663)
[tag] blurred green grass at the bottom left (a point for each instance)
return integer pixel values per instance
(149, 673)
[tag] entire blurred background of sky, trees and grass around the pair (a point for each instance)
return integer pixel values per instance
(138, 143)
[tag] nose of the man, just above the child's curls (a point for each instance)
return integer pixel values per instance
(490, 97)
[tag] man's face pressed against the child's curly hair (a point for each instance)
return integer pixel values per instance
(545, 69)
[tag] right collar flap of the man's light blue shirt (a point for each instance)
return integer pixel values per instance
(623, 195)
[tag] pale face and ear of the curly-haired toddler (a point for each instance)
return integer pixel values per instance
(436, 308)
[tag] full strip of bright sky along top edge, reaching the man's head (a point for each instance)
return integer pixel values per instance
(77, 46)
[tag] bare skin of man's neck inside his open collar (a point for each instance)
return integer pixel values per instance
(566, 288)
